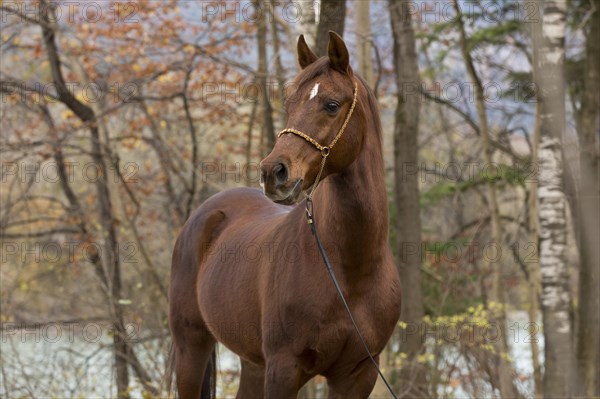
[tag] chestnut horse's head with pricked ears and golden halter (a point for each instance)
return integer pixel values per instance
(325, 123)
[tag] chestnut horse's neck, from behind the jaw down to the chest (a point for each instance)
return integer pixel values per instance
(351, 209)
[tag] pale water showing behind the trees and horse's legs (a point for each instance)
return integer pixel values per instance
(62, 361)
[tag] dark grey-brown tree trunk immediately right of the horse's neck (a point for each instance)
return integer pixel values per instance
(408, 220)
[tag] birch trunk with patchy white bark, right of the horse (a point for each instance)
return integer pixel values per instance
(555, 295)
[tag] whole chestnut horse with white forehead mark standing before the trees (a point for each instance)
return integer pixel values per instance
(246, 271)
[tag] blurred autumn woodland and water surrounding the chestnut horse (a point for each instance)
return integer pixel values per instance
(120, 118)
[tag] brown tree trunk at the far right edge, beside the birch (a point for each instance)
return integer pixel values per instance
(588, 339)
